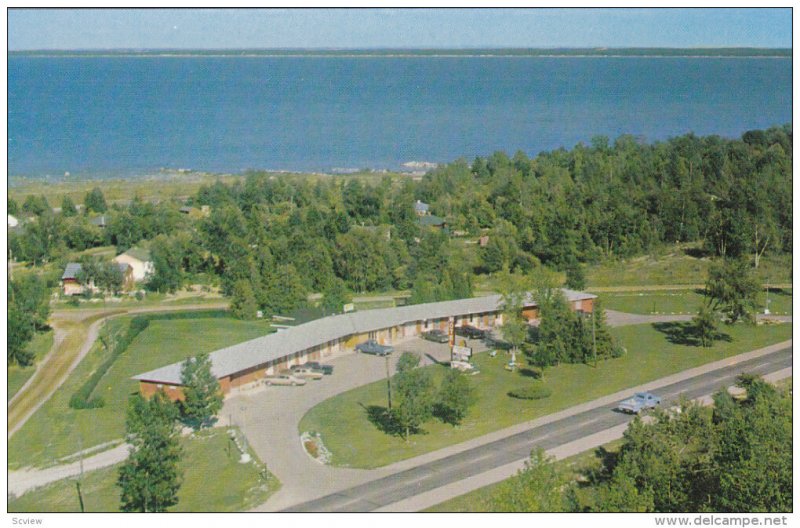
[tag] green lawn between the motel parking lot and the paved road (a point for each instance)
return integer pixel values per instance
(355, 442)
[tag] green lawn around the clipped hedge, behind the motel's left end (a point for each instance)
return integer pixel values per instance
(56, 430)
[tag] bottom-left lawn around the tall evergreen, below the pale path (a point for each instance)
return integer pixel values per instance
(214, 481)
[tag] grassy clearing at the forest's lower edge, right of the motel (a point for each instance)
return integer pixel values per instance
(678, 266)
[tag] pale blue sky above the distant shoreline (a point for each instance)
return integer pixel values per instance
(397, 28)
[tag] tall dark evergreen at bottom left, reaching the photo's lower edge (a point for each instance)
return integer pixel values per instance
(150, 478)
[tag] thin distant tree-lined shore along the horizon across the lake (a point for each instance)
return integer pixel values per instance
(409, 52)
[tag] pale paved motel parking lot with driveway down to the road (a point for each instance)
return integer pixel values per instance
(269, 416)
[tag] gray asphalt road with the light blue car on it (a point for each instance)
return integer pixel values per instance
(405, 484)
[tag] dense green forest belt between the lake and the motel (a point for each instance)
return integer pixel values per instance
(273, 240)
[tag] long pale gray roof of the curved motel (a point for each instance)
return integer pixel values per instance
(284, 343)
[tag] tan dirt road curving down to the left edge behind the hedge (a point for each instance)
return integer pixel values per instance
(75, 333)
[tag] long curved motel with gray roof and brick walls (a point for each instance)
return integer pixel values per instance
(243, 365)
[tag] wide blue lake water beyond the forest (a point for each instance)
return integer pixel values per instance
(119, 116)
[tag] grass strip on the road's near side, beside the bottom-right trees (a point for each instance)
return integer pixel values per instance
(480, 500)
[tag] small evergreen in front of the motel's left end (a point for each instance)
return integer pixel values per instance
(203, 397)
